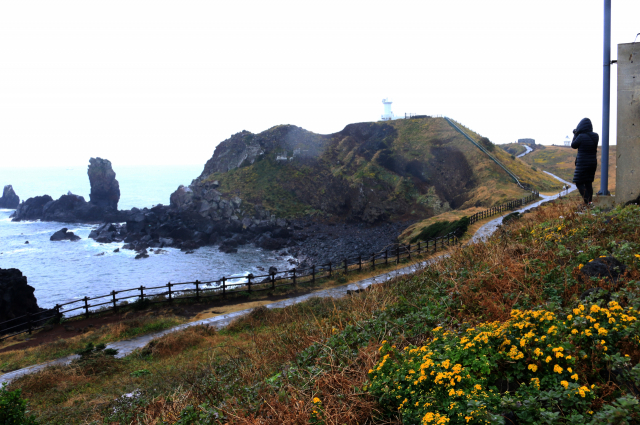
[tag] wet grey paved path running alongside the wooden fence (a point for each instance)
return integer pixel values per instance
(127, 346)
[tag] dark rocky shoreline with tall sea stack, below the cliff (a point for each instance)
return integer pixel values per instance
(199, 215)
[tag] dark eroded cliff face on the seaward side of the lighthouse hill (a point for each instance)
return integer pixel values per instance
(362, 173)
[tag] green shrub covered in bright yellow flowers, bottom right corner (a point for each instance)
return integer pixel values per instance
(538, 365)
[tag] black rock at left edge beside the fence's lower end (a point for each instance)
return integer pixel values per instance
(16, 297)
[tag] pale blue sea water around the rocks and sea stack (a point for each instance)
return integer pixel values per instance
(65, 271)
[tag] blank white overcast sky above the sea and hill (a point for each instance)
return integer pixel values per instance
(163, 82)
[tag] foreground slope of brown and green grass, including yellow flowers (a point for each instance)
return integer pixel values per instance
(508, 329)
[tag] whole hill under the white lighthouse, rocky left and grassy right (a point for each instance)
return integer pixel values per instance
(373, 171)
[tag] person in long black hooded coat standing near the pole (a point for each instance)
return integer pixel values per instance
(586, 141)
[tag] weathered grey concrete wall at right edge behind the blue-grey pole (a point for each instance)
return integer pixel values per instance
(628, 150)
